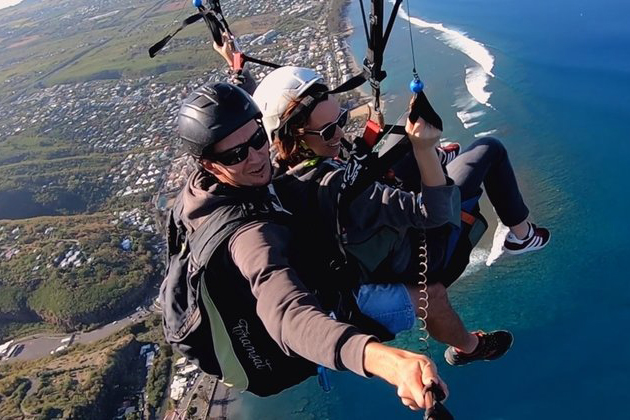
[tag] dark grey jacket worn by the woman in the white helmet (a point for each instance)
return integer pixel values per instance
(380, 218)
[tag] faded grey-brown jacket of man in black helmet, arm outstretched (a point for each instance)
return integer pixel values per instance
(289, 312)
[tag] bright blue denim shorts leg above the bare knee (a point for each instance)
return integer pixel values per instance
(388, 304)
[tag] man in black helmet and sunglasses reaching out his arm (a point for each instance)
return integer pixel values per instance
(265, 329)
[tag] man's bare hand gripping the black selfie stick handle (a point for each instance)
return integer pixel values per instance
(411, 373)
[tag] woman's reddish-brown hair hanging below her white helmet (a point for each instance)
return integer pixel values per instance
(288, 142)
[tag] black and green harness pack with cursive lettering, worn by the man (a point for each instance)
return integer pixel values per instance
(209, 312)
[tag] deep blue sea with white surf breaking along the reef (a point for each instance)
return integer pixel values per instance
(552, 80)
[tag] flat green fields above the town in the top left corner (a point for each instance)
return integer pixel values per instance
(42, 51)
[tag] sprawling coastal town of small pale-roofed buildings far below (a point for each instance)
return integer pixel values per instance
(133, 121)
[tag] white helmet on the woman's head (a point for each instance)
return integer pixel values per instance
(278, 90)
